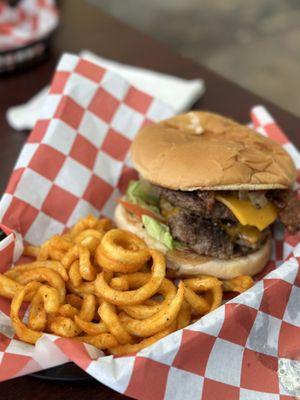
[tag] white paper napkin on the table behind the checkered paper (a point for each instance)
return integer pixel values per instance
(178, 93)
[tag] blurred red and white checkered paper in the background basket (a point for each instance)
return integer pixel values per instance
(28, 22)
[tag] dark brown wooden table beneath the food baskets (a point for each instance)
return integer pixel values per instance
(85, 27)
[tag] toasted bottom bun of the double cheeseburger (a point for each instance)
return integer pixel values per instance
(190, 263)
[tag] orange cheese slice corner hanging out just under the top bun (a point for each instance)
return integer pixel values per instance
(248, 214)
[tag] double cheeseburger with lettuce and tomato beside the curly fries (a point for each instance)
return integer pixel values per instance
(209, 192)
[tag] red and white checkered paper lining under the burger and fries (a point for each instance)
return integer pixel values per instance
(76, 162)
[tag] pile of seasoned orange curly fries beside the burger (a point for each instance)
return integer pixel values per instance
(96, 284)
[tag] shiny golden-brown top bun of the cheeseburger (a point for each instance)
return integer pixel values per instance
(201, 150)
